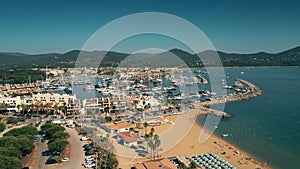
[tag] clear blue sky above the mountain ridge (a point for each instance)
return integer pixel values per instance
(35, 26)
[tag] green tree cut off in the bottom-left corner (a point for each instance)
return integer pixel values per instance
(10, 162)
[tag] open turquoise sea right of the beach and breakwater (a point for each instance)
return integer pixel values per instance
(268, 126)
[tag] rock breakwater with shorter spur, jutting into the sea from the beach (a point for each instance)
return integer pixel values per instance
(246, 91)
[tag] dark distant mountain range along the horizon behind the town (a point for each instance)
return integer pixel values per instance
(289, 57)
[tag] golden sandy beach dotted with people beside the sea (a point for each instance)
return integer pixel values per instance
(190, 145)
